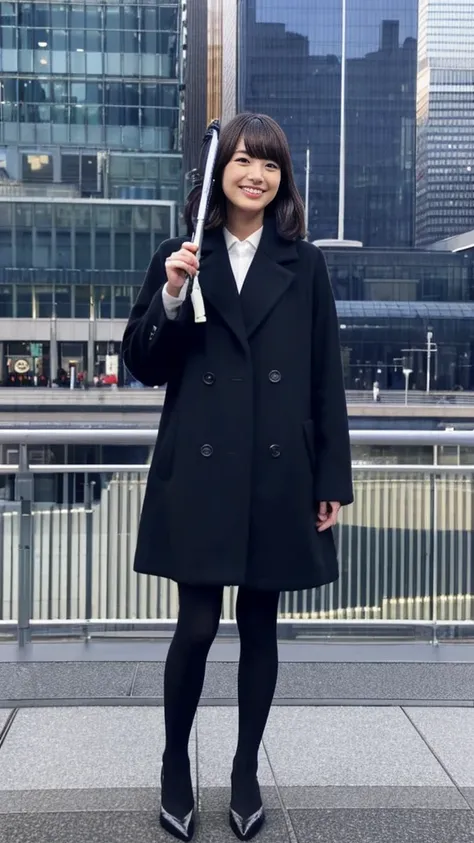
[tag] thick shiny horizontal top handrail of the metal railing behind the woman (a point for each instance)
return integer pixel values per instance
(111, 436)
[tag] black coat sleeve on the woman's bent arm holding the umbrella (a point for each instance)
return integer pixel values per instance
(153, 346)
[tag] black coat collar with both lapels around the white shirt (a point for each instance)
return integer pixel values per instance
(268, 278)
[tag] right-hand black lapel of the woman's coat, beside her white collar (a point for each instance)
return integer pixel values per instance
(268, 278)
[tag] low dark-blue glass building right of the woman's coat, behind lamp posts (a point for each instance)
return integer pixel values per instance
(388, 300)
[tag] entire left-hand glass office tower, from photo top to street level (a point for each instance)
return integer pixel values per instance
(90, 173)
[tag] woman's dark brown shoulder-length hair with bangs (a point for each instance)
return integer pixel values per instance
(264, 139)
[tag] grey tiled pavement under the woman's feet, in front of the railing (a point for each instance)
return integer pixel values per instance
(332, 770)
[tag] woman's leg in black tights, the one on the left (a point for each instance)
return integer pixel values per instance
(198, 620)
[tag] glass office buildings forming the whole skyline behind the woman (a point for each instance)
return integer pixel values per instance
(102, 110)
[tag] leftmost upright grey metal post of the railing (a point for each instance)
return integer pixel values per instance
(24, 492)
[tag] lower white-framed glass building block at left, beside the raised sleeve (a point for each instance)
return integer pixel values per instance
(70, 271)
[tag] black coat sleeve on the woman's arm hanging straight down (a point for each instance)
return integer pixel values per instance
(333, 471)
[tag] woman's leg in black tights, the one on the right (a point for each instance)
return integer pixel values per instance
(257, 613)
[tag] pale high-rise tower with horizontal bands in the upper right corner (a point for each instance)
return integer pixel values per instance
(445, 121)
